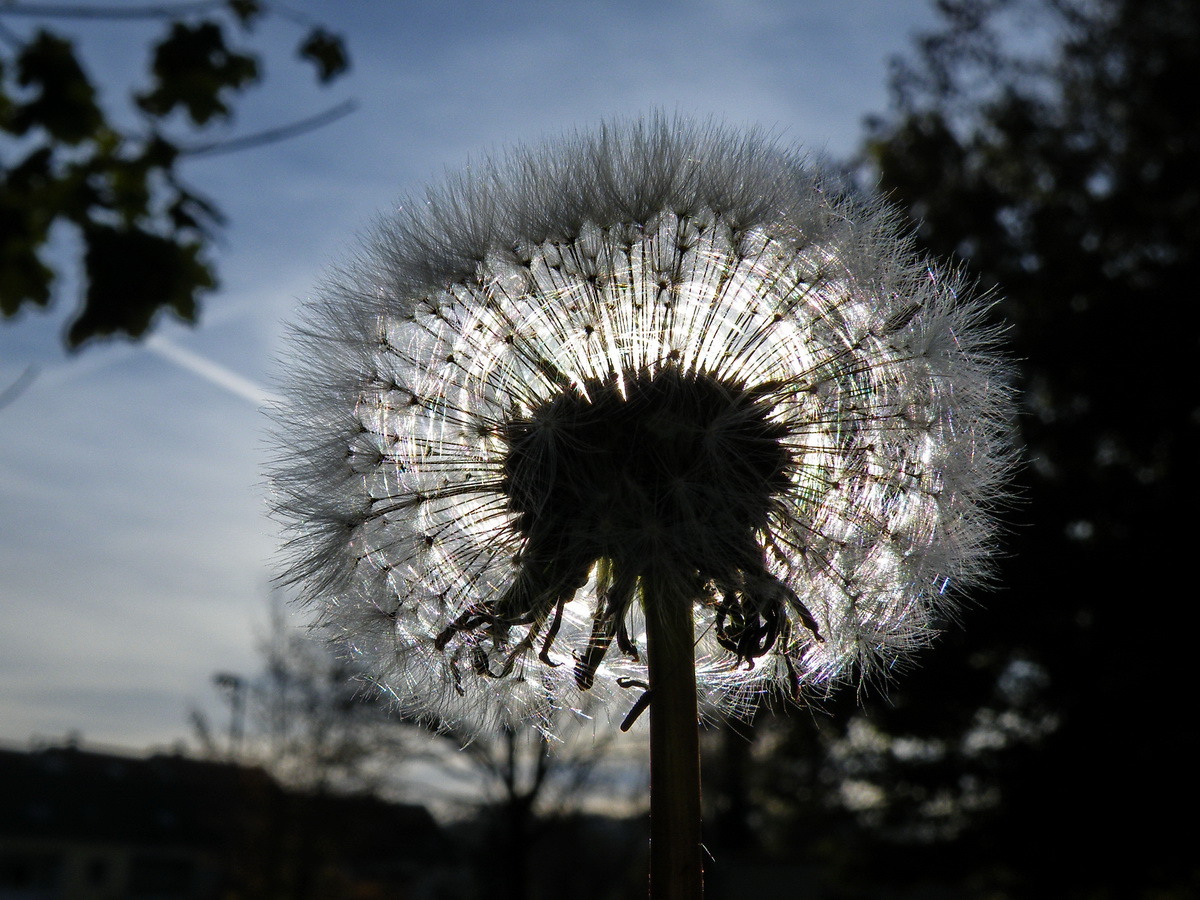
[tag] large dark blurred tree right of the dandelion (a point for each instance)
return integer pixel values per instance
(1046, 747)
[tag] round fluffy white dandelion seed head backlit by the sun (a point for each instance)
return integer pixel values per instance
(657, 406)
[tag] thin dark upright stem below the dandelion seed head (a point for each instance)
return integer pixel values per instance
(676, 862)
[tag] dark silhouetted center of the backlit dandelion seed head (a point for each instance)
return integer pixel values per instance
(668, 469)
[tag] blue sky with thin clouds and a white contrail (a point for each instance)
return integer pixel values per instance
(135, 550)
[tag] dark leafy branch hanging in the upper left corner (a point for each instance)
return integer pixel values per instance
(67, 161)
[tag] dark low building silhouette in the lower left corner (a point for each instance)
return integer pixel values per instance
(82, 825)
